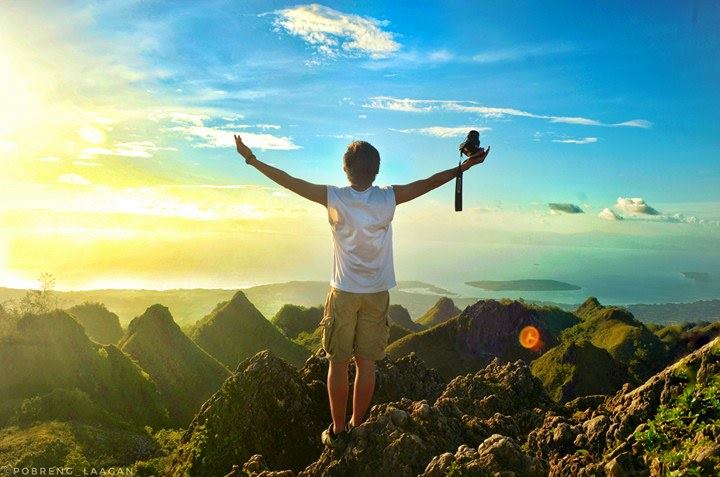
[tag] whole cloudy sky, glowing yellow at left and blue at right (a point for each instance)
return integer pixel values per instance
(606, 107)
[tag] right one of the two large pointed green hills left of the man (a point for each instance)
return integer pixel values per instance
(236, 330)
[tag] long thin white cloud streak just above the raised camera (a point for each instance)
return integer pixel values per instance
(426, 105)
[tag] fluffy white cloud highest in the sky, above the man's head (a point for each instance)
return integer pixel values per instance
(332, 33)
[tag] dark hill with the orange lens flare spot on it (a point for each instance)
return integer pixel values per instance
(466, 343)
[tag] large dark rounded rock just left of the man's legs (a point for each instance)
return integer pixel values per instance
(264, 408)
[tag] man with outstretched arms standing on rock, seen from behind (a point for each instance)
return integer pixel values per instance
(355, 323)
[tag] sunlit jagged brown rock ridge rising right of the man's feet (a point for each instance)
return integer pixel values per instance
(400, 438)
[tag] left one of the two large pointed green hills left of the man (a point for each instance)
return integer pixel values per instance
(186, 375)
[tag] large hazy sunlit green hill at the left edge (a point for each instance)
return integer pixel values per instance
(51, 350)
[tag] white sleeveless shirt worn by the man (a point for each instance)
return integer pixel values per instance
(362, 238)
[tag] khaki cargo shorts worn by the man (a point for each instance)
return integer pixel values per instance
(355, 324)
